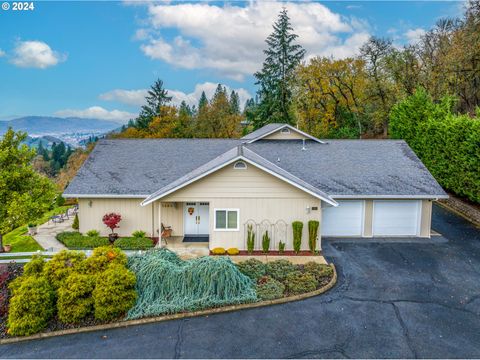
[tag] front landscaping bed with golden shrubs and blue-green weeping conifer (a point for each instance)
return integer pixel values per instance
(78, 293)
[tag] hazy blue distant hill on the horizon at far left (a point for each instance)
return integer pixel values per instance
(44, 125)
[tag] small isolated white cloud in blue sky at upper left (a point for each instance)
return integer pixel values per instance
(35, 54)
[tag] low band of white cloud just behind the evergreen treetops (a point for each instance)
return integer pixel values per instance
(137, 97)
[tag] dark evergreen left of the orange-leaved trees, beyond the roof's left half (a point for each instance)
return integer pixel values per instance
(157, 98)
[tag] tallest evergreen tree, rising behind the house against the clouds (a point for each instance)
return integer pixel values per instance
(282, 57)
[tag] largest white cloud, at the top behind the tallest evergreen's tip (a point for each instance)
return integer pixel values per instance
(230, 39)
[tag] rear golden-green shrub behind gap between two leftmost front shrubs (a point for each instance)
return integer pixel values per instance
(62, 265)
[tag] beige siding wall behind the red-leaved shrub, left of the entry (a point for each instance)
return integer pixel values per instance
(134, 216)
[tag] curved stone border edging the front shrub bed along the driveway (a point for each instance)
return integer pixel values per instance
(224, 309)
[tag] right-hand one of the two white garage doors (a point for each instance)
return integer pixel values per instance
(396, 218)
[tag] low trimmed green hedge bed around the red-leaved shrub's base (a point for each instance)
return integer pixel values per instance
(76, 241)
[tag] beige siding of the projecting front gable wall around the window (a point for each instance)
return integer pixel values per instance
(258, 196)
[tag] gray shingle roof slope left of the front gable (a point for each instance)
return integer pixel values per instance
(142, 166)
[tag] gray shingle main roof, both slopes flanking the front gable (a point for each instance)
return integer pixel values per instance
(336, 168)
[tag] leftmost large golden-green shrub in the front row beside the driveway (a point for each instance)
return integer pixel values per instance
(31, 306)
